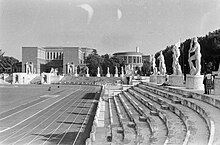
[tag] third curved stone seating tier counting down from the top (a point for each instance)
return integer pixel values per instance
(177, 130)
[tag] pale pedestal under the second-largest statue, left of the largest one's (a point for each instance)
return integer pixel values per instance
(176, 80)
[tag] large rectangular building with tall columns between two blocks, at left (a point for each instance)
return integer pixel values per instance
(45, 58)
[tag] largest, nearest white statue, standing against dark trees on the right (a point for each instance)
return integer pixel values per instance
(194, 57)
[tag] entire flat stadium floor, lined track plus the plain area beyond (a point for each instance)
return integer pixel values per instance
(33, 115)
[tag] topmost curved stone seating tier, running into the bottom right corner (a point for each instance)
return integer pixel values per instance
(211, 111)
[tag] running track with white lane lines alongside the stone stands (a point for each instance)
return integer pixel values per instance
(50, 119)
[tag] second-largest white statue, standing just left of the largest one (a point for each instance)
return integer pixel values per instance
(176, 66)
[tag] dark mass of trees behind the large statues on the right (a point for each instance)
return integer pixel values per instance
(210, 50)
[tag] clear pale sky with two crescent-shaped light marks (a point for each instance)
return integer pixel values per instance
(107, 25)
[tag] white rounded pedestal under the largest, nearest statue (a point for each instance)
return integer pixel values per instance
(194, 82)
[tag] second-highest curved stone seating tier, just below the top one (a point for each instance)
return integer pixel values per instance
(197, 121)
